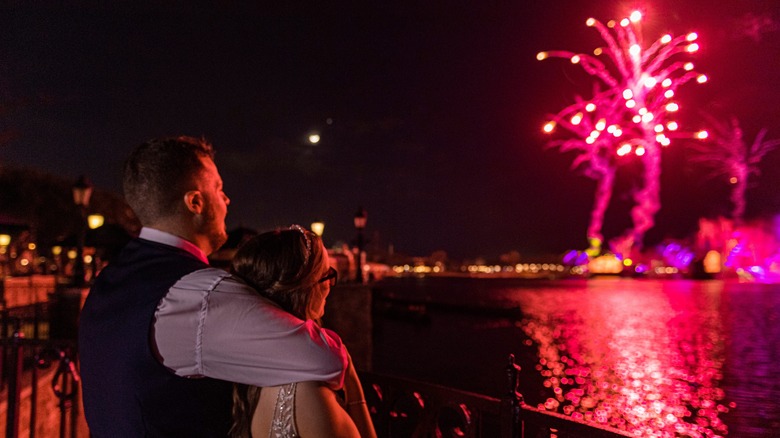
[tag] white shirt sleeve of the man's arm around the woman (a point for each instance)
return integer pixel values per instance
(212, 324)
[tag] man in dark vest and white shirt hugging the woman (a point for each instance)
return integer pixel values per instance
(162, 334)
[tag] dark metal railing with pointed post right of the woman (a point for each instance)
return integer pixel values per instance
(402, 408)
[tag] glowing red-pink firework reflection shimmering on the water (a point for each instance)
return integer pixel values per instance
(632, 355)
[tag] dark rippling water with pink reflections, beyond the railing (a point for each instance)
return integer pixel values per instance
(658, 358)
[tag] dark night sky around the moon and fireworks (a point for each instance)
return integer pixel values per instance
(429, 113)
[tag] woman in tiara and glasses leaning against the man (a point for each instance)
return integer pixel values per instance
(291, 268)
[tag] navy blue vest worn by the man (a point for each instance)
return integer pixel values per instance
(127, 391)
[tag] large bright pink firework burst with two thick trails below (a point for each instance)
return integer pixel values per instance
(630, 113)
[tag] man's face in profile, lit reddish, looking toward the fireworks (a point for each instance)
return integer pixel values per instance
(215, 205)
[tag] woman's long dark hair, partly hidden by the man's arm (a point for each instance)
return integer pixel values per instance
(284, 266)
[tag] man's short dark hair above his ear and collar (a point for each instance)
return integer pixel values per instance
(159, 172)
